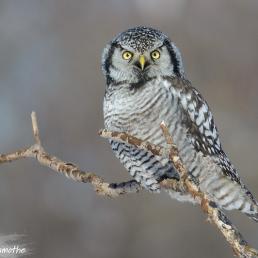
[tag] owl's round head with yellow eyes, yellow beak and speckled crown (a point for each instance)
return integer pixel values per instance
(139, 54)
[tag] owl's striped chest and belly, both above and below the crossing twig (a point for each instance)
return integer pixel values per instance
(140, 112)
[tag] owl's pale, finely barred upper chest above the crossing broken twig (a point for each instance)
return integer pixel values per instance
(140, 111)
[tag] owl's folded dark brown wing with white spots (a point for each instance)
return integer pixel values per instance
(201, 126)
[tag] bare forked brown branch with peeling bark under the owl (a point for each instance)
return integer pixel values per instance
(70, 170)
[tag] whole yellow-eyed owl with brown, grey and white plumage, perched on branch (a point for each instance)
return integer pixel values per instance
(145, 86)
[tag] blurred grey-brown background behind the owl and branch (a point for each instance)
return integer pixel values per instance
(50, 62)
